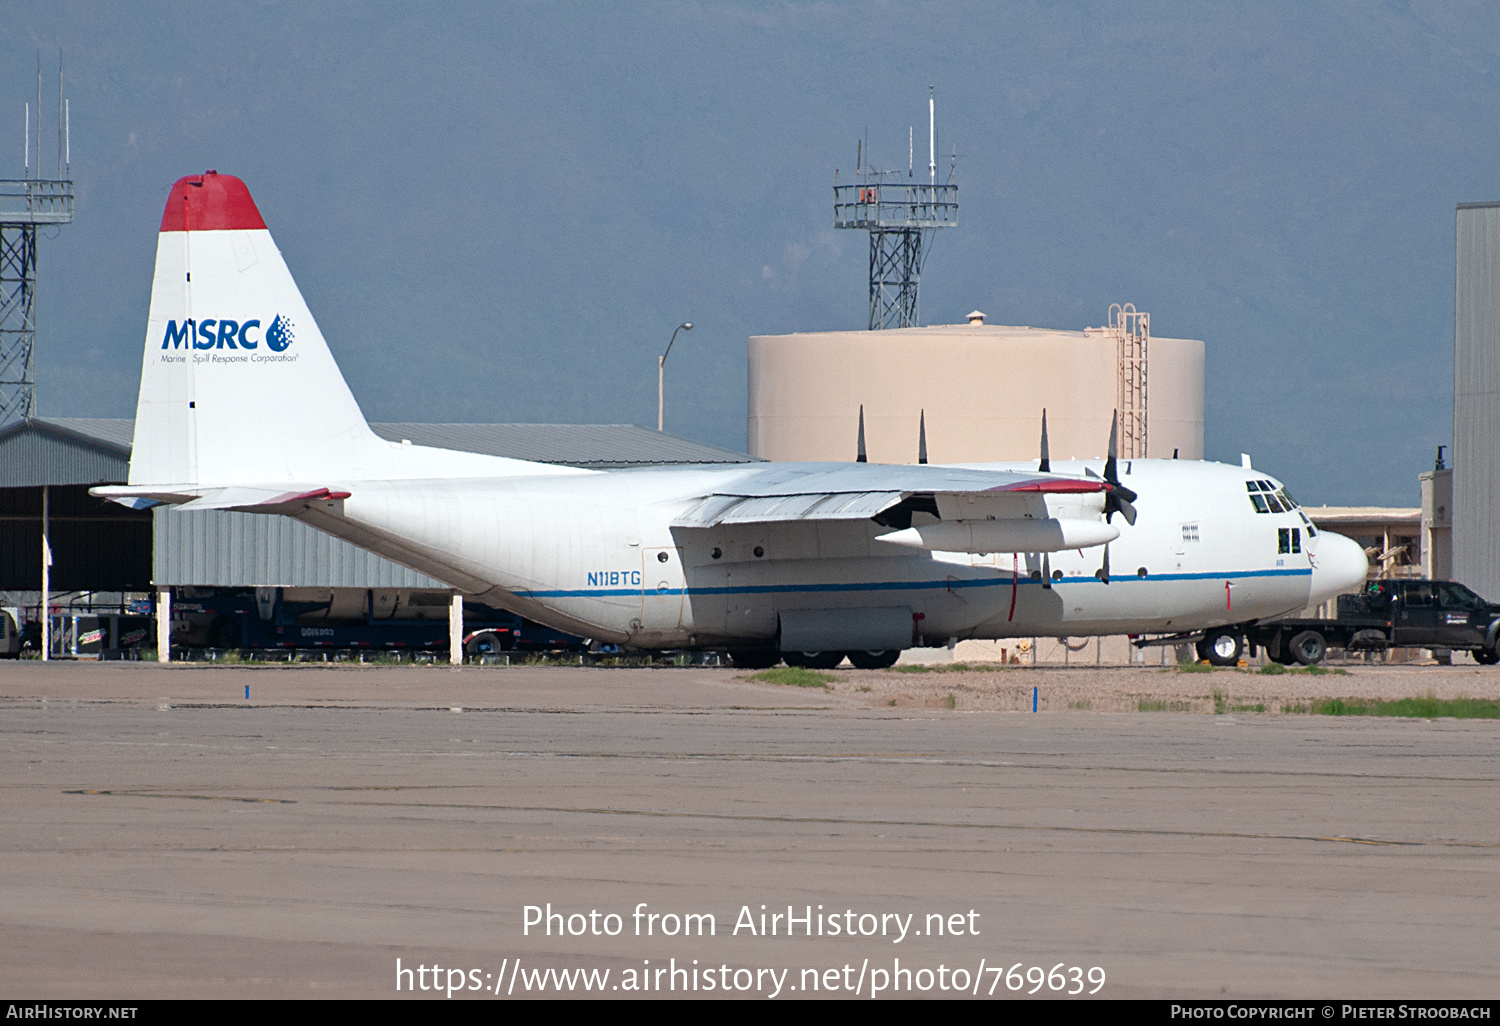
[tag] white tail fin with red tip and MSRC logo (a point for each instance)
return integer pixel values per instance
(238, 383)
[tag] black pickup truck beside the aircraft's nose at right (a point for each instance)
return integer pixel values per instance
(1388, 614)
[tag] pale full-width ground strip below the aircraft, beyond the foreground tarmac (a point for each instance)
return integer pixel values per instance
(1118, 689)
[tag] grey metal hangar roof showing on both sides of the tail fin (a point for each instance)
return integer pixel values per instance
(76, 451)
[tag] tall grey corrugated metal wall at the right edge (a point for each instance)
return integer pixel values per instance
(1477, 398)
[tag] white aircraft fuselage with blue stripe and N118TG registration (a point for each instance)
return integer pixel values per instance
(598, 556)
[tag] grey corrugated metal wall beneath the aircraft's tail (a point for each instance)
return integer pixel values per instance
(250, 550)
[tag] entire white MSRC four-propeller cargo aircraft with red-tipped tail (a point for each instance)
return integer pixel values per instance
(242, 407)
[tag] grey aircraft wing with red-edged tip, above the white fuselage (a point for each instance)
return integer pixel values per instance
(862, 491)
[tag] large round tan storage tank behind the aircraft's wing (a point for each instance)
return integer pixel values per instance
(983, 389)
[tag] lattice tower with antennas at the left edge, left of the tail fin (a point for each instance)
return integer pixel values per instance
(25, 205)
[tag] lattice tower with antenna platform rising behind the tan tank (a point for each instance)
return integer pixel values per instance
(898, 212)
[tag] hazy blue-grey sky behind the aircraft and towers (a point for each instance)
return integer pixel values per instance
(500, 211)
